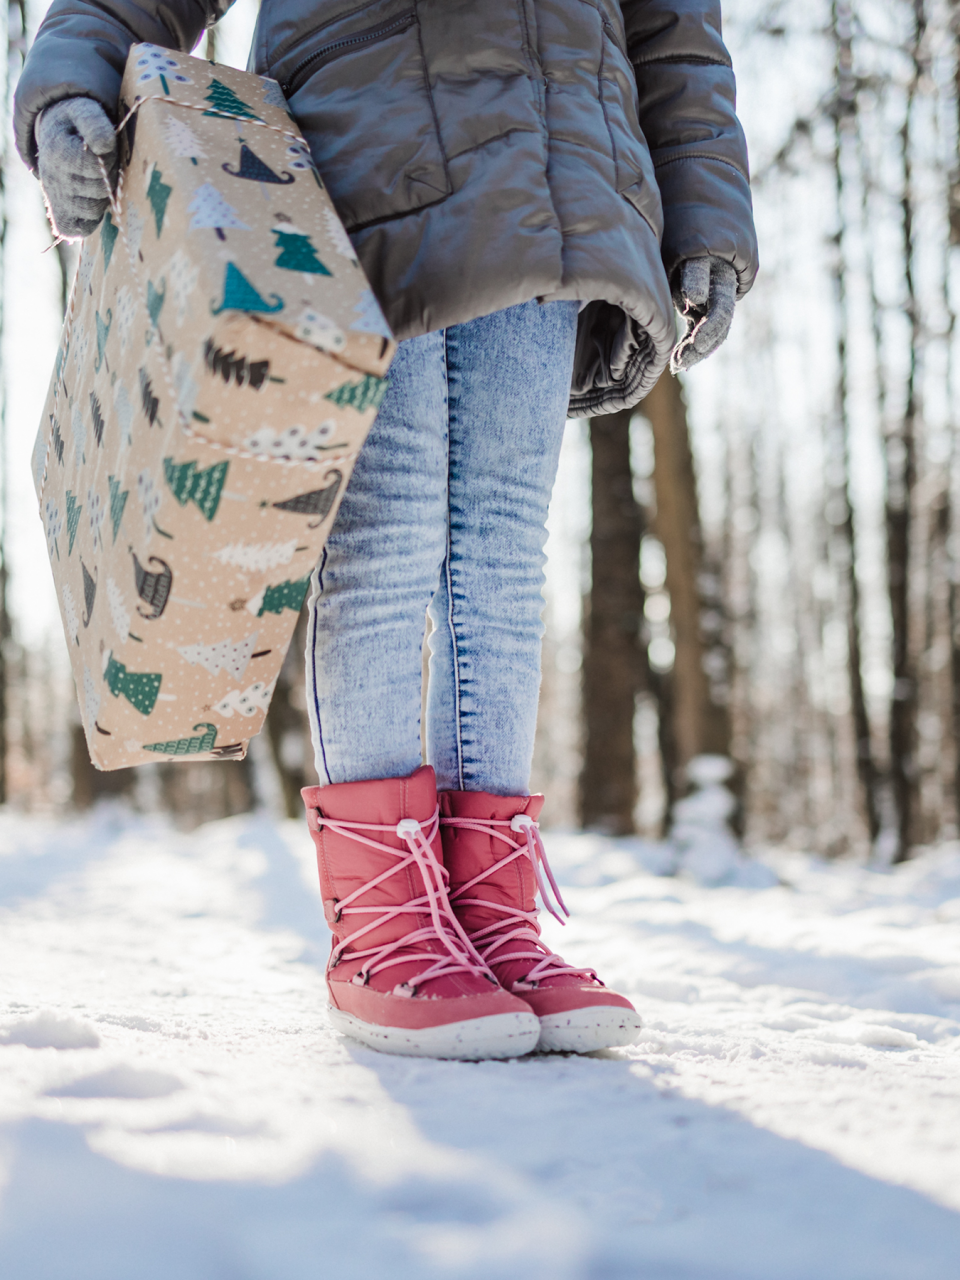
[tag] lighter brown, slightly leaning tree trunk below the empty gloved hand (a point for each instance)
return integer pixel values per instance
(701, 724)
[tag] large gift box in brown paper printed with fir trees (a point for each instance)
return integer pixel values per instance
(221, 365)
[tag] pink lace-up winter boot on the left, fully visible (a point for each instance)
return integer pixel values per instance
(403, 975)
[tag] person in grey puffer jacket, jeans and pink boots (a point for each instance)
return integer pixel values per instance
(525, 184)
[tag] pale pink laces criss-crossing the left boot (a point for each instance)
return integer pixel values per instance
(460, 954)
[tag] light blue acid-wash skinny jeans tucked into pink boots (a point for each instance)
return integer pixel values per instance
(447, 511)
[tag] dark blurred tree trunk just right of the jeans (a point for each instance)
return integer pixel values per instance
(614, 656)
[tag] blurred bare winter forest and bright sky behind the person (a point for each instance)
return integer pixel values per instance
(755, 579)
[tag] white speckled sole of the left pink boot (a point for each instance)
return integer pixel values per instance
(497, 1036)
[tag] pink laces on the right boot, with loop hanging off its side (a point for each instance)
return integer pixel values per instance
(520, 926)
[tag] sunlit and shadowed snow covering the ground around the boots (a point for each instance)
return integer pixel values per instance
(175, 1104)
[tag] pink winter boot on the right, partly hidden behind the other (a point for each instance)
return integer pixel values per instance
(495, 857)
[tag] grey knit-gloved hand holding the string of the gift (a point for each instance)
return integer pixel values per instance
(71, 136)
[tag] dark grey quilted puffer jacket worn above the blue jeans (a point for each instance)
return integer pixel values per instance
(484, 153)
